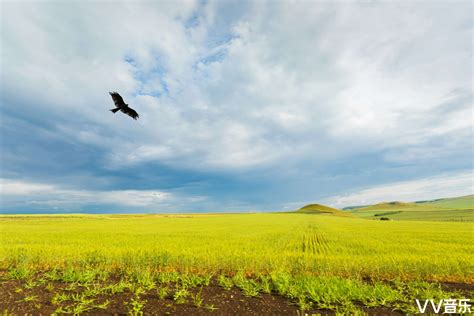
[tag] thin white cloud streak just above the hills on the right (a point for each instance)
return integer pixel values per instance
(447, 185)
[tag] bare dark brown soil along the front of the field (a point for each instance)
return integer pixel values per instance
(215, 301)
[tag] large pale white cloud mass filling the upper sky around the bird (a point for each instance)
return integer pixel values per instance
(314, 76)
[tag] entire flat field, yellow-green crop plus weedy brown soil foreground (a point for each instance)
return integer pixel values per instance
(278, 263)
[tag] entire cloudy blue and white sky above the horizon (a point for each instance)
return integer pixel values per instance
(244, 105)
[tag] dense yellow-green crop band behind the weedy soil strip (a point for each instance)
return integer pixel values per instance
(299, 244)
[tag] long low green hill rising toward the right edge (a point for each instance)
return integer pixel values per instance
(449, 209)
